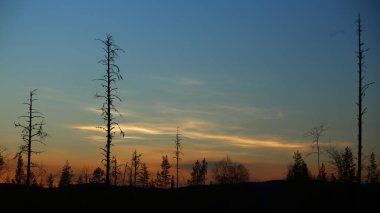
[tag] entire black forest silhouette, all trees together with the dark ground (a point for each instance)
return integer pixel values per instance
(221, 186)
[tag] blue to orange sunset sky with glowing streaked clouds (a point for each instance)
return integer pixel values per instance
(245, 79)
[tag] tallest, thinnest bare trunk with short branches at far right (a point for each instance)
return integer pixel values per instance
(362, 89)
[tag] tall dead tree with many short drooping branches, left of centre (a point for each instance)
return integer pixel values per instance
(109, 96)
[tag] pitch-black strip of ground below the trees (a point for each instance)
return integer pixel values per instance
(273, 196)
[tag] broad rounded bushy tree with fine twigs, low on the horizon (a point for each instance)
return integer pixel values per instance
(228, 172)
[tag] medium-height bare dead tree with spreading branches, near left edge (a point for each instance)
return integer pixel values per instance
(31, 132)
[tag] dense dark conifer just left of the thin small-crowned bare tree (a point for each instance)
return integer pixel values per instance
(298, 170)
